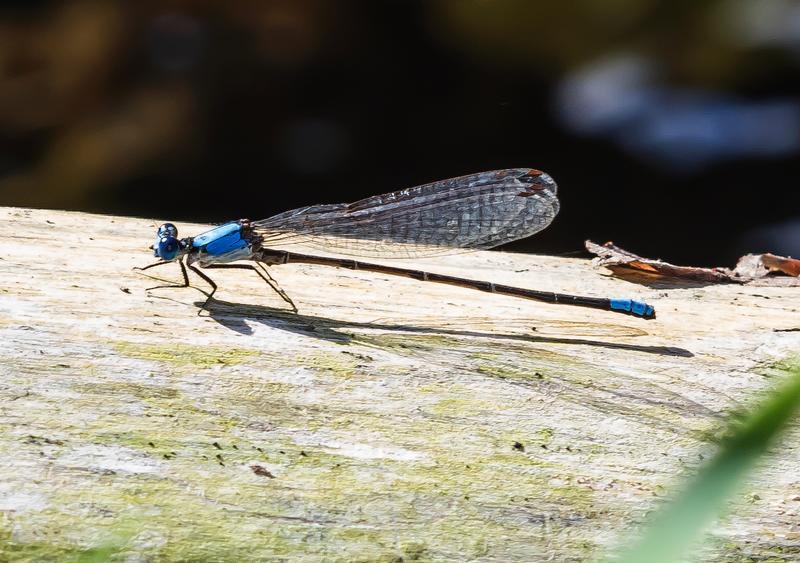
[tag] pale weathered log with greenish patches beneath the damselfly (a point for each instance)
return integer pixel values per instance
(388, 419)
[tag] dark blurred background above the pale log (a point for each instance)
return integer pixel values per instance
(672, 128)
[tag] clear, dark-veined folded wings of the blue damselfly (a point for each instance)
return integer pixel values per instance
(469, 212)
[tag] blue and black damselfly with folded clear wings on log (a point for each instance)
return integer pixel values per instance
(477, 211)
